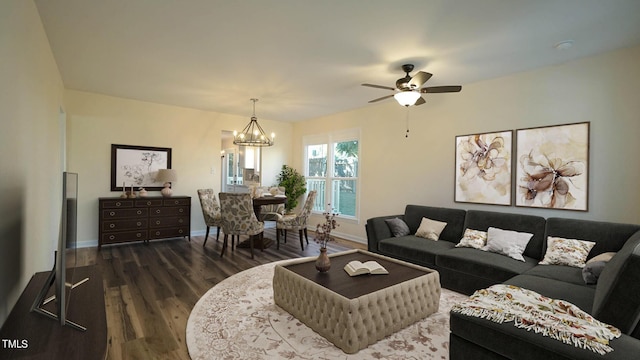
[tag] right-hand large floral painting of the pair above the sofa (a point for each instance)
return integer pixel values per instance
(552, 167)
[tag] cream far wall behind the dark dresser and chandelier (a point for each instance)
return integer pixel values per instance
(97, 121)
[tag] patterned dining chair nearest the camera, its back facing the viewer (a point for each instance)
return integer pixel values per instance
(238, 218)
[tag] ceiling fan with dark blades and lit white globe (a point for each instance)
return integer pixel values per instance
(408, 89)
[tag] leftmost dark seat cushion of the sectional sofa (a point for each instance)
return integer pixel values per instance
(414, 249)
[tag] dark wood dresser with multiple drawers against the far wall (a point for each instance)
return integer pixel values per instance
(143, 219)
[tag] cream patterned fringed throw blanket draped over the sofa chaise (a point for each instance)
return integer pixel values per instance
(529, 310)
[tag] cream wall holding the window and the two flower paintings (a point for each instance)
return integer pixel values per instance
(396, 171)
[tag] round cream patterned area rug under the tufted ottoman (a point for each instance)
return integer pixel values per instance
(238, 319)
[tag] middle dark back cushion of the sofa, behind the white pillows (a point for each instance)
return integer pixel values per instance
(482, 220)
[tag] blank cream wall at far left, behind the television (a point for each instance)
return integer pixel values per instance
(31, 94)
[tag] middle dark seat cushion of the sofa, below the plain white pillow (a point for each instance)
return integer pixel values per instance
(483, 264)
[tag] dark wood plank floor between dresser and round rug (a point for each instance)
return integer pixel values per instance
(150, 289)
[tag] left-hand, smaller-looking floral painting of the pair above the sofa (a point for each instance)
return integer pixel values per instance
(483, 168)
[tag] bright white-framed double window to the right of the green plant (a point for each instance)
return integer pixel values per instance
(331, 168)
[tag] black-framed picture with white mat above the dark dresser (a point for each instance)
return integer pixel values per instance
(137, 166)
